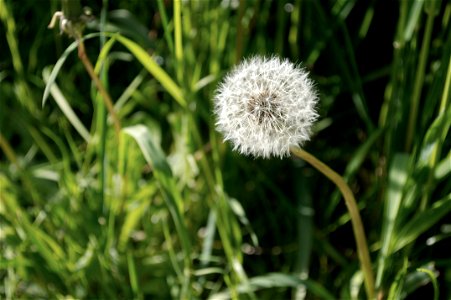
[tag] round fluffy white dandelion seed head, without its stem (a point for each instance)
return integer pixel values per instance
(265, 105)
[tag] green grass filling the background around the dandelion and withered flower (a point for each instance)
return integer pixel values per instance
(166, 210)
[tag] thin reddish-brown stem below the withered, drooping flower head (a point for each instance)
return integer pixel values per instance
(103, 92)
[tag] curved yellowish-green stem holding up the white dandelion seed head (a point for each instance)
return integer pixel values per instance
(351, 204)
